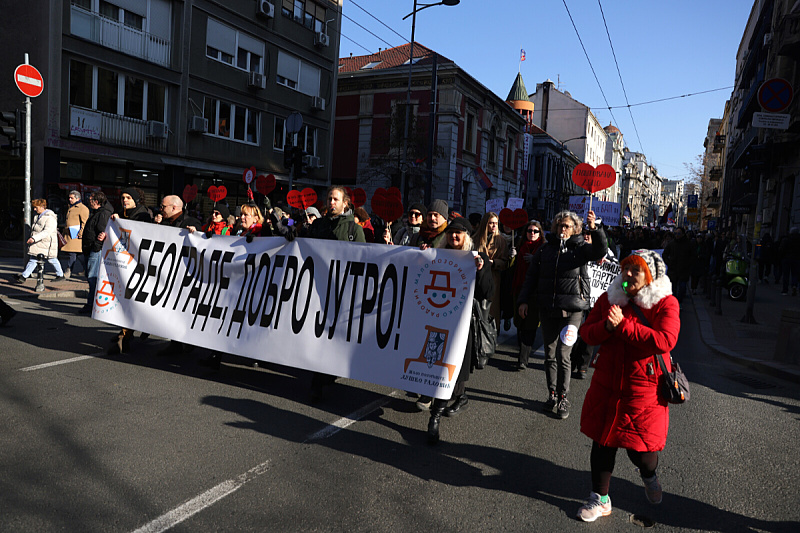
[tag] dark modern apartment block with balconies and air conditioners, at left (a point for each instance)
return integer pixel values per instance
(166, 93)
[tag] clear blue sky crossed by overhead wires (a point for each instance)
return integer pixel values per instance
(664, 49)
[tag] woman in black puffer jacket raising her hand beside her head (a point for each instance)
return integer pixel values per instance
(557, 283)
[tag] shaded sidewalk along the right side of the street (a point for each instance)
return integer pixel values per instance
(752, 345)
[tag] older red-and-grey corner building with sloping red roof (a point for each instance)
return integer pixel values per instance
(475, 131)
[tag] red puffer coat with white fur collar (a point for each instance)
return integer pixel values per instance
(622, 408)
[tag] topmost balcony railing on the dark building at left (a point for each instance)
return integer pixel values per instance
(117, 36)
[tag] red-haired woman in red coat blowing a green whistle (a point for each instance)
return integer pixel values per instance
(622, 408)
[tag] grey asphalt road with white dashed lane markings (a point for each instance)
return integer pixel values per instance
(145, 443)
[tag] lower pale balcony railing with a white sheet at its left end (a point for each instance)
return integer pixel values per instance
(109, 128)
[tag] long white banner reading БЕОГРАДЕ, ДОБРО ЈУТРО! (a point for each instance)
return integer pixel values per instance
(390, 315)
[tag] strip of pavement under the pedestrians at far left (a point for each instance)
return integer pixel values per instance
(12, 262)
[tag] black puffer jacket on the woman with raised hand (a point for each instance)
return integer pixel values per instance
(558, 279)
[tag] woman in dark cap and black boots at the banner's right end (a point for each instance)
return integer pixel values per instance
(457, 237)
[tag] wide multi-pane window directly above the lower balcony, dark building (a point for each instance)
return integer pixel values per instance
(119, 94)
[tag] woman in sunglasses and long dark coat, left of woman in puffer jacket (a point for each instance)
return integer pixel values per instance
(532, 240)
